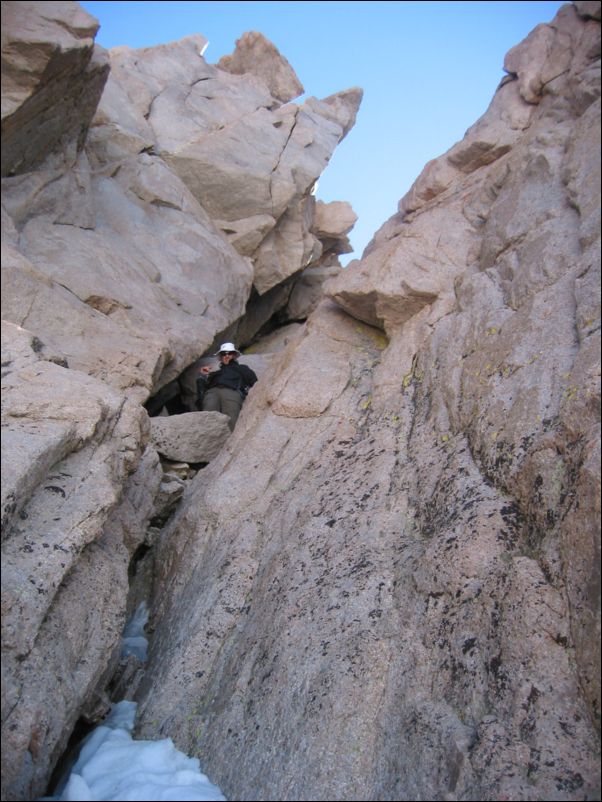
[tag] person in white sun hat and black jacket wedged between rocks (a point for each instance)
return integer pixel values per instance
(225, 389)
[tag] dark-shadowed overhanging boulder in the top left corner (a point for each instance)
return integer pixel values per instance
(52, 79)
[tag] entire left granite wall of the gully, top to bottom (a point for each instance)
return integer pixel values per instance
(118, 273)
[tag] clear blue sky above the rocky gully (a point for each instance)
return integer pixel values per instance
(428, 71)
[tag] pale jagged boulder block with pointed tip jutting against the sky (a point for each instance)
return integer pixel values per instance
(249, 161)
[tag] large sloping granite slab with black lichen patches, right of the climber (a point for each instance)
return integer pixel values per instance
(387, 585)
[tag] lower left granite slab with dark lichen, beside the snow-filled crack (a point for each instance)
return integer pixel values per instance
(77, 494)
